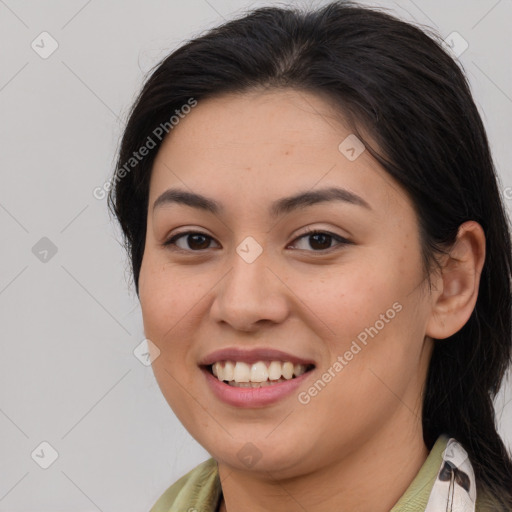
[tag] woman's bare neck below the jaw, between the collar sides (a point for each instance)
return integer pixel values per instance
(372, 477)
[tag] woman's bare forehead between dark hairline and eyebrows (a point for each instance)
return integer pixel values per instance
(257, 145)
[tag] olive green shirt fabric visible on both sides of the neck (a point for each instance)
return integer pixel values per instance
(200, 490)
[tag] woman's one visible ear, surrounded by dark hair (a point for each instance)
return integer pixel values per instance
(456, 287)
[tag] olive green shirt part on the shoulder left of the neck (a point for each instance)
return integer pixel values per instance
(199, 487)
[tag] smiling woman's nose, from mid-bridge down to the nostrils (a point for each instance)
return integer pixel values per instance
(250, 295)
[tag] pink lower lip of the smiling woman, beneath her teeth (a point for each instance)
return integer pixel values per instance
(253, 397)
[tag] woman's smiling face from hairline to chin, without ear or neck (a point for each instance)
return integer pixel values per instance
(246, 284)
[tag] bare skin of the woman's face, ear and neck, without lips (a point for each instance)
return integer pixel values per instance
(357, 444)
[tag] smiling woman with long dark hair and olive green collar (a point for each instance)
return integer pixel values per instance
(323, 263)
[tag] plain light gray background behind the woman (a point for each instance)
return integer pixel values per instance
(69, 326)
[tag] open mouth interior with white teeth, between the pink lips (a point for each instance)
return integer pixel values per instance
(256, 374)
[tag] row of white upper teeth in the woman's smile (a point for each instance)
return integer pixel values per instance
(256, 372)
